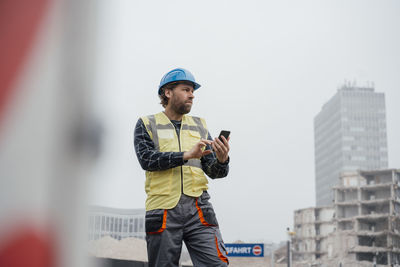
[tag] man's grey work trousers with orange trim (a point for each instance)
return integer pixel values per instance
(192, 221)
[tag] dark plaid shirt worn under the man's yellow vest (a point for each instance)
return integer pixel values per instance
(153, 160)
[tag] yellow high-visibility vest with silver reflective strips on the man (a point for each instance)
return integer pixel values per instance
(164, 188)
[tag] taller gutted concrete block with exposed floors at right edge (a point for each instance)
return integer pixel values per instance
(367, 208)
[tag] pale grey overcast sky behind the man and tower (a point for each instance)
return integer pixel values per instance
(266, 68)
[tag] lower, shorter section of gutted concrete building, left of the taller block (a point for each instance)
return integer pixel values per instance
(312, 227)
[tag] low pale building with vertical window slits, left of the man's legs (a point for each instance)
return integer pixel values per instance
(117, 223)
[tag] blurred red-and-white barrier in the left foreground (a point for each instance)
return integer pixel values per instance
(47, 137)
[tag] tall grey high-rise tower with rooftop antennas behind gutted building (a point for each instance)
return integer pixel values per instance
(349, 134)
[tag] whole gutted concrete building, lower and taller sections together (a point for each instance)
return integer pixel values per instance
(362, 228)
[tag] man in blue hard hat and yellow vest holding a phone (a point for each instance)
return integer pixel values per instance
(176, 150)
